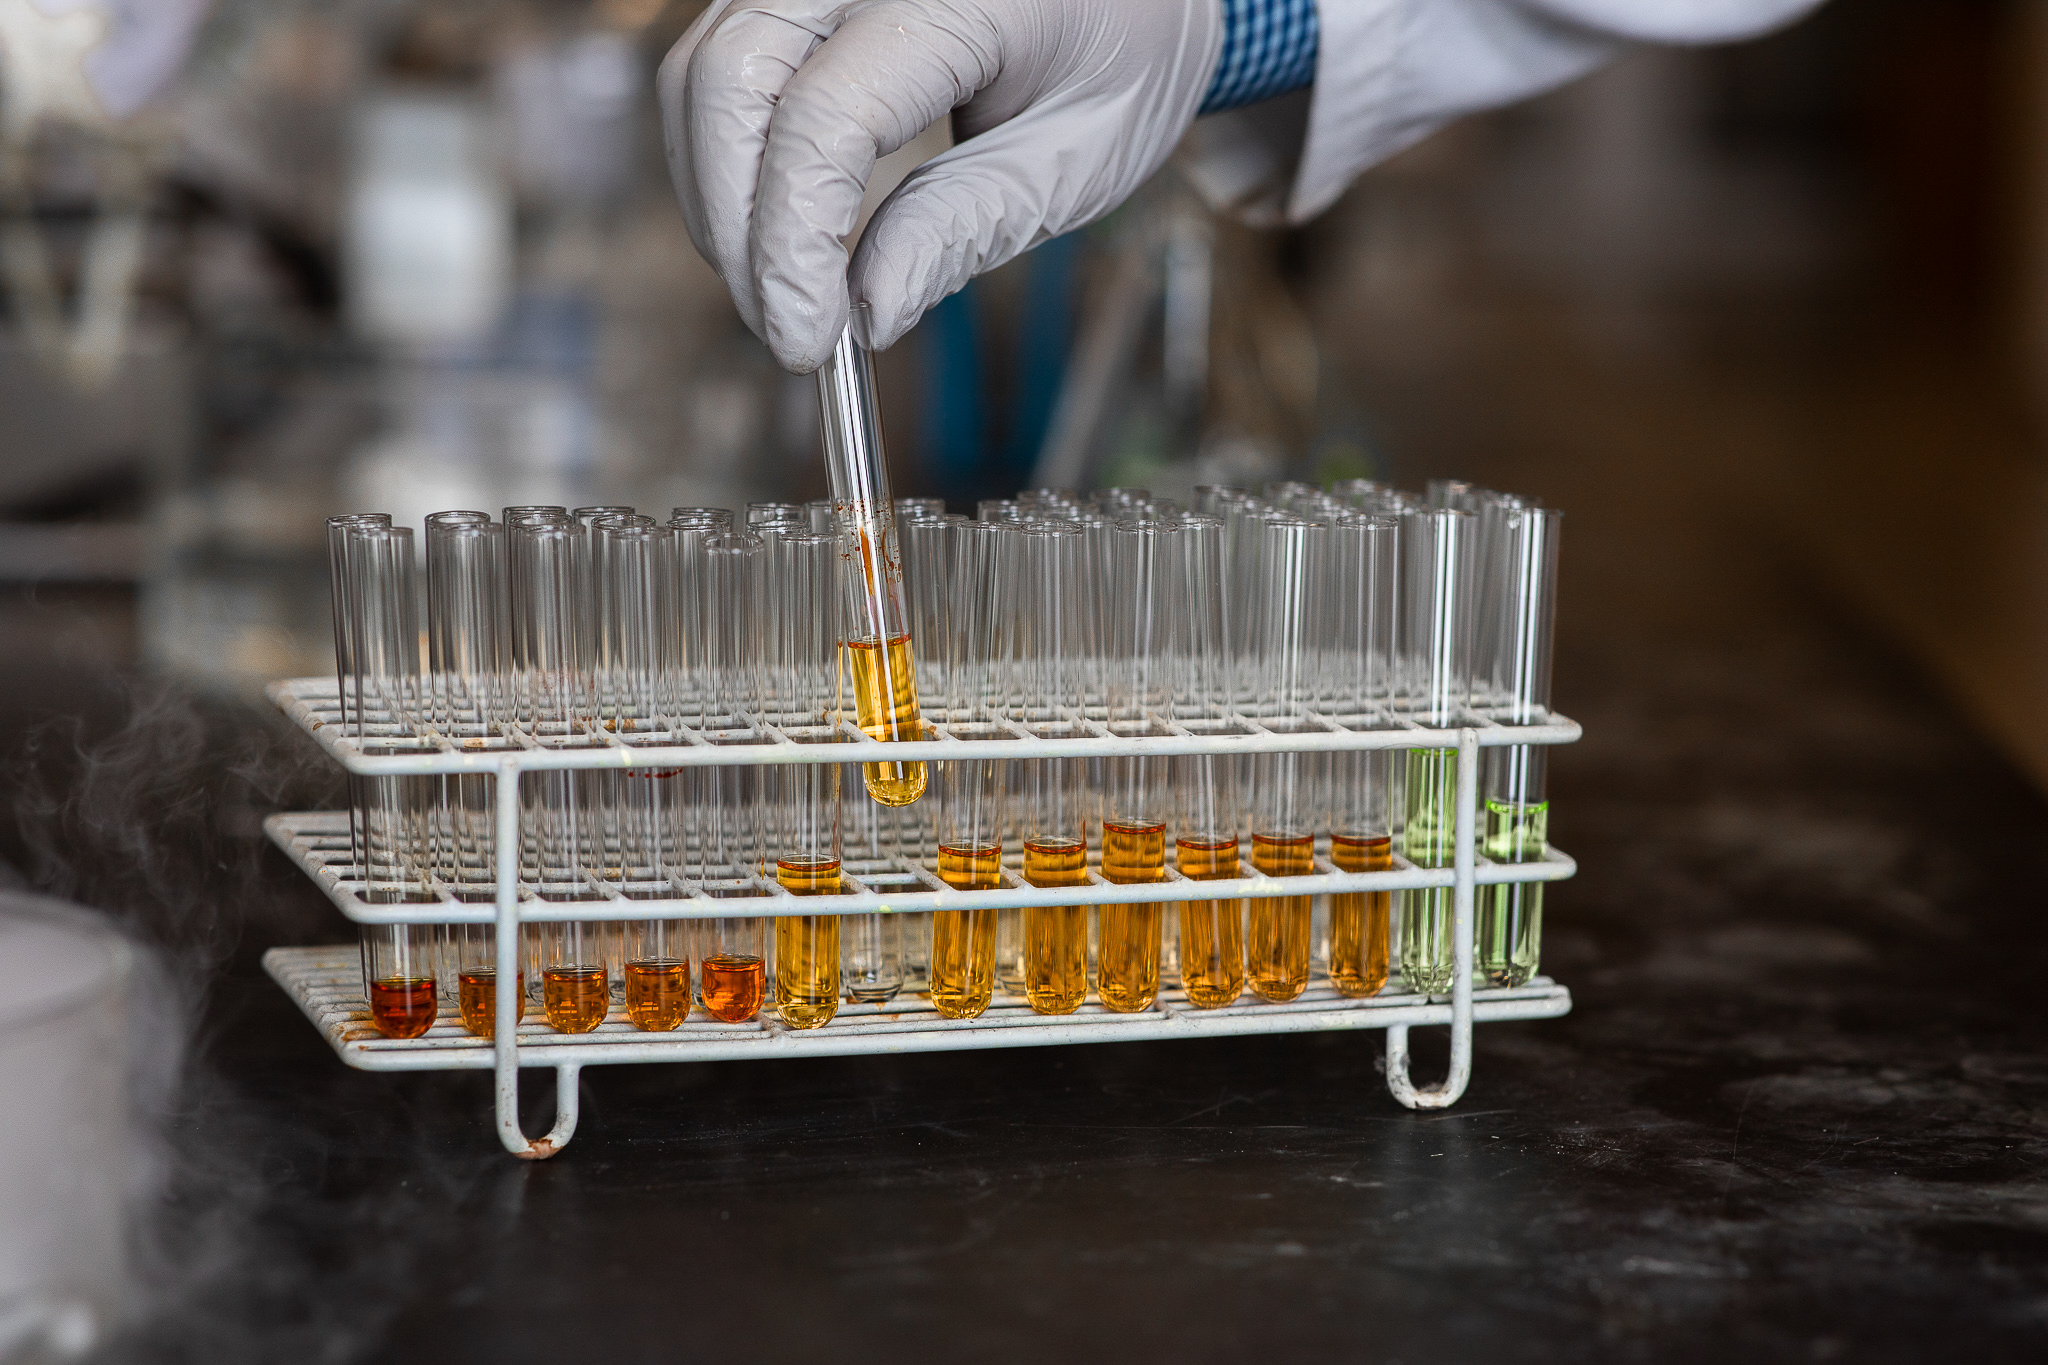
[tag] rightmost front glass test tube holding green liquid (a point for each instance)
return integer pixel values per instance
(1519, 809)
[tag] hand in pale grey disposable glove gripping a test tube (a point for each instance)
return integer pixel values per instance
(775, 114)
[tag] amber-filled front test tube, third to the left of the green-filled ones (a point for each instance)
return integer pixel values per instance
(1207, 822)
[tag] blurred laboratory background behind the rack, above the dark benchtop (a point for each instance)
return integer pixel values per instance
(415, 255)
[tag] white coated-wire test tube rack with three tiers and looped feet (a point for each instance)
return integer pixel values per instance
(329, 987)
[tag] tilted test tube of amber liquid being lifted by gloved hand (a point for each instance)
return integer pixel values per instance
(876, 625)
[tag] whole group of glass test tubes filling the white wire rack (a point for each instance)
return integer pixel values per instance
(1046, 615)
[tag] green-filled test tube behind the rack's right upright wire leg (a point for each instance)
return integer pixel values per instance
(1437, 646)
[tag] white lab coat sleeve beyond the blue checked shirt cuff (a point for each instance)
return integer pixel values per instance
(1392, 73)
